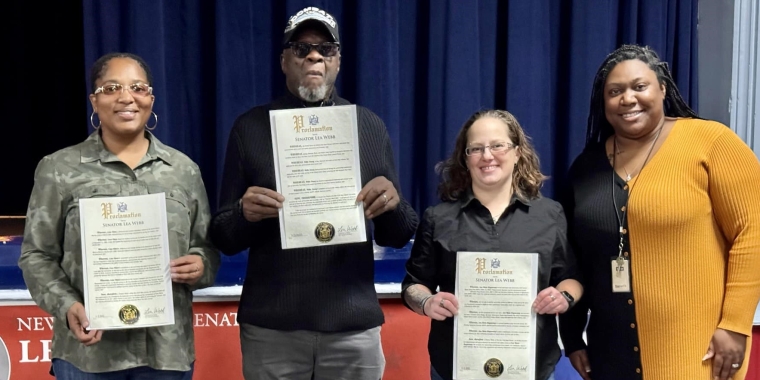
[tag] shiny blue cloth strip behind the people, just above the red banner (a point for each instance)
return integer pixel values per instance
(389, 265)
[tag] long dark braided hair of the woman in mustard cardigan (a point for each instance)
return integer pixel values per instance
(598, 127)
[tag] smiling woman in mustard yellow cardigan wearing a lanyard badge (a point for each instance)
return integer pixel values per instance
(664, 212)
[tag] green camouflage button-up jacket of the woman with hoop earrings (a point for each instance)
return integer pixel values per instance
(51, 253)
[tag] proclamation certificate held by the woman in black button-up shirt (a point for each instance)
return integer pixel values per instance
(495, 330)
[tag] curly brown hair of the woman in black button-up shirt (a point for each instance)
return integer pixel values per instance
(526, 178)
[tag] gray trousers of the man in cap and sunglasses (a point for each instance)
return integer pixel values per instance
(309, 355)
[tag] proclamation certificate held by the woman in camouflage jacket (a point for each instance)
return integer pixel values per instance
(125, 262)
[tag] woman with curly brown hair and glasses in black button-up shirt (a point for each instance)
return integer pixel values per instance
(491, 203)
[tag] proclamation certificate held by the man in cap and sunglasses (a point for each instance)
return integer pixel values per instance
(316, 156)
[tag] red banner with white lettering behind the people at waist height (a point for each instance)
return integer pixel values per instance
(27, 333)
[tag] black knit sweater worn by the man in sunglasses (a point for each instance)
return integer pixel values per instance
(327, 289)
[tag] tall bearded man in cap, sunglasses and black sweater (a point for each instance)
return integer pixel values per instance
(308, 313)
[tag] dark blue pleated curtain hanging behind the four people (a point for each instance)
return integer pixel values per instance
(423, 66)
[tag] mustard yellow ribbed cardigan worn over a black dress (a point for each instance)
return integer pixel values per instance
(694, 217)
